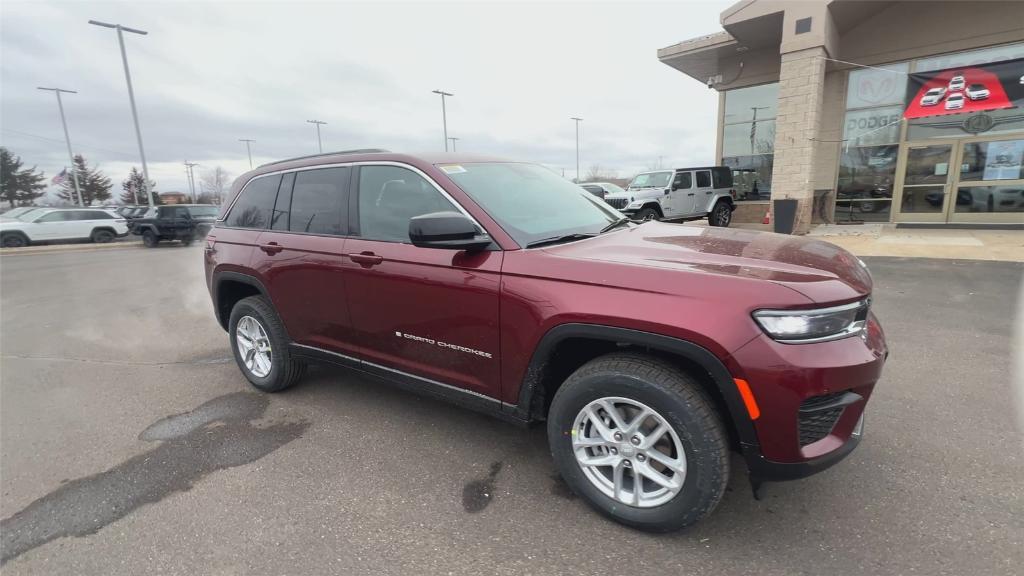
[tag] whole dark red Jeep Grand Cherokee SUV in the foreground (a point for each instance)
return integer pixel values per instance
(651, 350)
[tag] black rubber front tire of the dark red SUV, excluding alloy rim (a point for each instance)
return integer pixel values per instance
(681, 401)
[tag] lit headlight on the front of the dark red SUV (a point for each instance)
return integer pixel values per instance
(794, 327)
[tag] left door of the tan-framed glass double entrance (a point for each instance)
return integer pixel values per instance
(926, 183)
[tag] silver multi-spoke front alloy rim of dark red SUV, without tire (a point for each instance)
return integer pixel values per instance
(629, 452)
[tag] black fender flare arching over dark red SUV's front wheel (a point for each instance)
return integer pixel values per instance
(699, 355)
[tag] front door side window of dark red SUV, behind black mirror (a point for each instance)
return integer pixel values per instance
(390, 196)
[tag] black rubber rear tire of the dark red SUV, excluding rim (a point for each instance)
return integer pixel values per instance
(285, 371)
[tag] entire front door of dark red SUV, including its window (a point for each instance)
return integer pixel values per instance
(432, 313)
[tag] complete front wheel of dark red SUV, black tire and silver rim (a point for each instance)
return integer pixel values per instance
(641, 441)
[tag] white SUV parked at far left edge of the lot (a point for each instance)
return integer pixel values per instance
(62, 225)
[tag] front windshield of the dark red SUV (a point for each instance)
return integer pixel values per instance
(531, 202)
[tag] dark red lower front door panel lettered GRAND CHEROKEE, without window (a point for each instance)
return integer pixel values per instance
(432, 313)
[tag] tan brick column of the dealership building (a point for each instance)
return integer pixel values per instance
(797, 122)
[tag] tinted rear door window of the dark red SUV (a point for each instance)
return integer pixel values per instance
(318, 200)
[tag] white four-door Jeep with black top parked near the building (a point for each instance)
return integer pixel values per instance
(684, 194)
